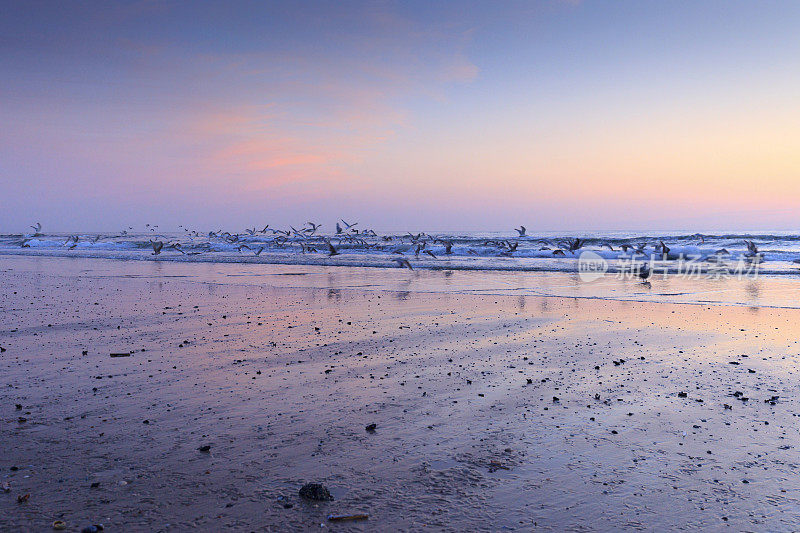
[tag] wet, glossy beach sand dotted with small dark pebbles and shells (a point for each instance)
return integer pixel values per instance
(492, 411)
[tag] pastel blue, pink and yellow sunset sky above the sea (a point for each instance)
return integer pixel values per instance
(559, 115)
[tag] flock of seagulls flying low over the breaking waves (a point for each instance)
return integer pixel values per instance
(309, 239)
